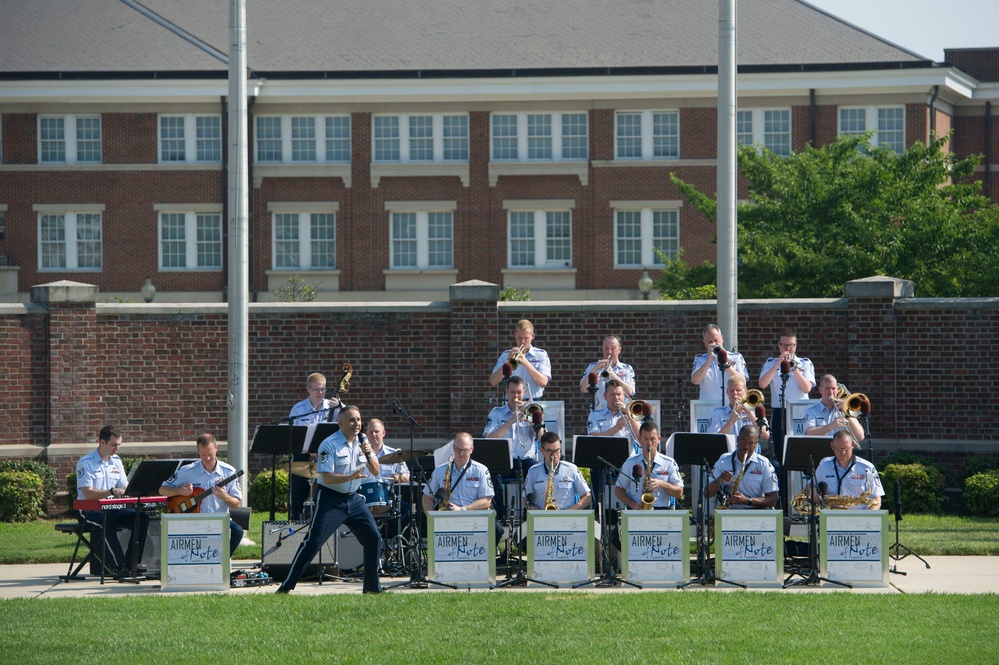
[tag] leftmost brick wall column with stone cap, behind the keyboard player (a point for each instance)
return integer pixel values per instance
(73, 396)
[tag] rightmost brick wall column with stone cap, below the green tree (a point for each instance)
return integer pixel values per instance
(872, 353)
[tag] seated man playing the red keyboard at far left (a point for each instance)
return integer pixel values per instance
(100, 474)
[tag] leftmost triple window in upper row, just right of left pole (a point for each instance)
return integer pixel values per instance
(303, 139)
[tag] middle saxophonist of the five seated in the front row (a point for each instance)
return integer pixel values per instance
(665, 481)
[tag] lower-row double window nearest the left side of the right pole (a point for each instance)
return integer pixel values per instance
(640, 232)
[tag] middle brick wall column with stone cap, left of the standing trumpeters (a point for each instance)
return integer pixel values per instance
(474, 328)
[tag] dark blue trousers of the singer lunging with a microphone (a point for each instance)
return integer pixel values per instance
(332, 510)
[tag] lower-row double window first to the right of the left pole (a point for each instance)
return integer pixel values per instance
(304, 240)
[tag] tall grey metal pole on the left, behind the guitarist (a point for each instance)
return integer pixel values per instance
(238, 233)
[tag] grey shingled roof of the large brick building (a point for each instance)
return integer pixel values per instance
(108, 37)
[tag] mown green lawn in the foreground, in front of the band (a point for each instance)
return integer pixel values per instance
(557, 627)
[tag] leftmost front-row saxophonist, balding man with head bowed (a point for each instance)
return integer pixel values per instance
(468, 486)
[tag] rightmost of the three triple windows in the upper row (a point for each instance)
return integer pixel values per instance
(540, 137)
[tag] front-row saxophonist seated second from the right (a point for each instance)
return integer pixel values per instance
(758, 485)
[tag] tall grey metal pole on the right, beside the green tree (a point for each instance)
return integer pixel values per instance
(728, 293)
